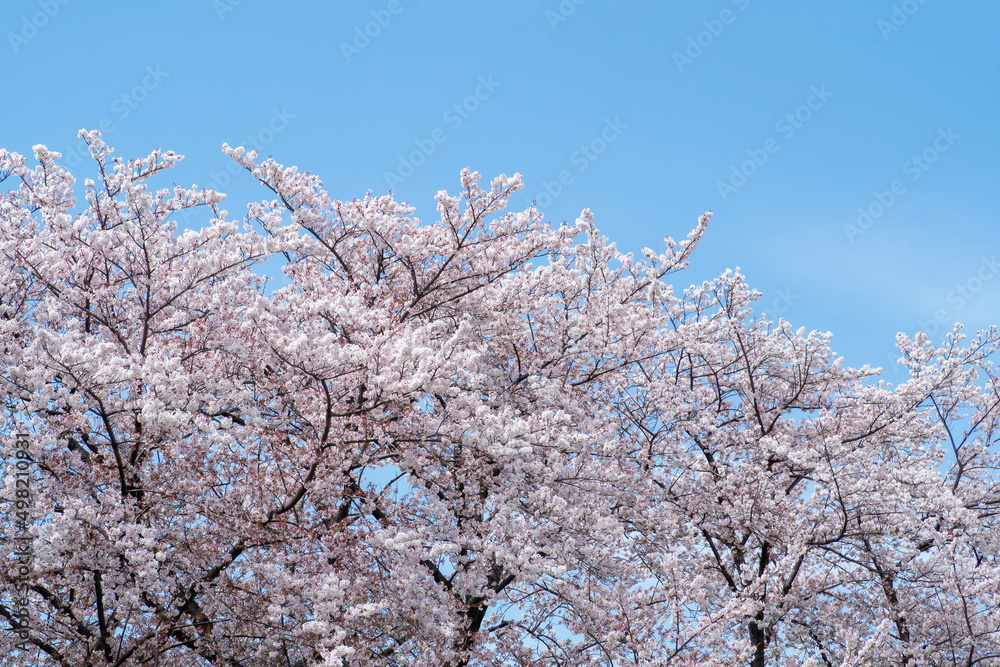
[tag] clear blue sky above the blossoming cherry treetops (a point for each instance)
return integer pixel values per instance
(784, 118)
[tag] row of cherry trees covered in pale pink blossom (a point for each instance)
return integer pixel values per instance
(481, 440)
